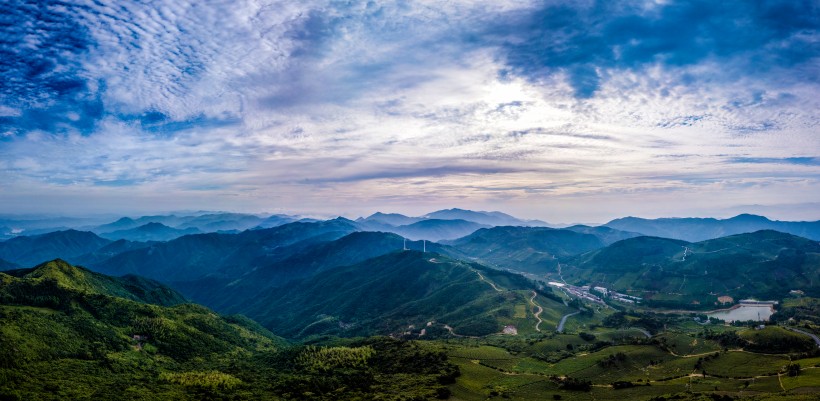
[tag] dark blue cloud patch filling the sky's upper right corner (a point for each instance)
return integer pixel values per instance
(589, 41)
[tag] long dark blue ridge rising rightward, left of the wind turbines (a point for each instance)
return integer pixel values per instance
(193, 257)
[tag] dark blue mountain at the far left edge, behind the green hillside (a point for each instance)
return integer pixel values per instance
(31, 250)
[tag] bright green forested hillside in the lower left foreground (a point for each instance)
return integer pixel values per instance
(68, 333)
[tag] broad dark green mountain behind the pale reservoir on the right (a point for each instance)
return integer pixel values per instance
(764, 265)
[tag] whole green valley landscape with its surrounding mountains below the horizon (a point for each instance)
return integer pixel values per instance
(308, 309)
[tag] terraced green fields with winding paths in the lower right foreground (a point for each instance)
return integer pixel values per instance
(494, 372)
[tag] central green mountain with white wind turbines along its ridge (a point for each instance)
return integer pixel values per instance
(401, 292)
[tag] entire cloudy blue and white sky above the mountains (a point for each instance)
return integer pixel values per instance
(566, 111)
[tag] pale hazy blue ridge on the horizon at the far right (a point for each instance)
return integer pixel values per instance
(699, 229)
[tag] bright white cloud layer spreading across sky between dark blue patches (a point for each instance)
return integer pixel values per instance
(349, 108)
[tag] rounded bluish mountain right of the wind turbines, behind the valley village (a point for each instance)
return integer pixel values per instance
(527, 249)
